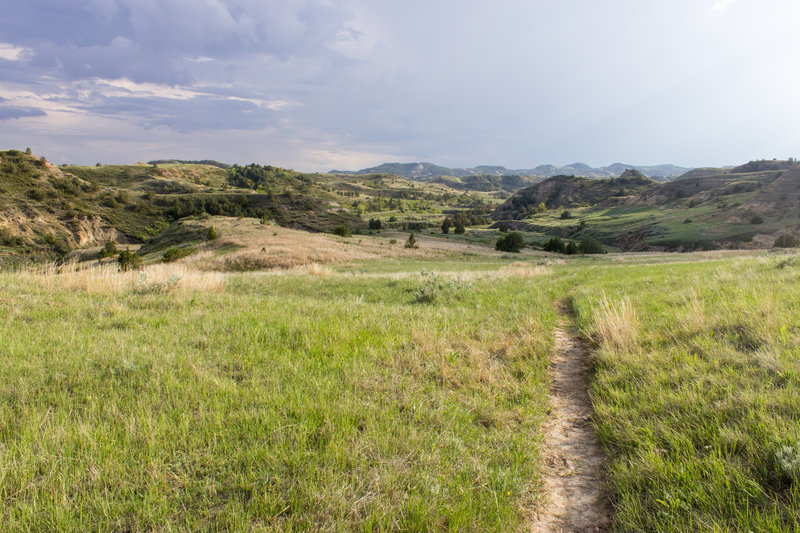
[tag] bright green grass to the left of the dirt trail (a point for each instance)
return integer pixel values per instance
(284, 403)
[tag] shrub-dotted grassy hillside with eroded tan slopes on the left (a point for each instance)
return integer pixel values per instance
(45, 212)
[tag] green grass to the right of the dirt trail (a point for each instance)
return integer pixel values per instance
(694, 410)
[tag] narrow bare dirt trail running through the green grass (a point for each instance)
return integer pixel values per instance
(573, 462)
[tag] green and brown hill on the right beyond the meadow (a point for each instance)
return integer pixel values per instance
(704, 209)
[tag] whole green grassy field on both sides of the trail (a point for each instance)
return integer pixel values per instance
(396, 393)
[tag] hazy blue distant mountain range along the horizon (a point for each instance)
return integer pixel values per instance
(429, 171)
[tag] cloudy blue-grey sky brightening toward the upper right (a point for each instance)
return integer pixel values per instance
(318, 84)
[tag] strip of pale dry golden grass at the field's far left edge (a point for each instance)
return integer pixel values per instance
(106, 278)
